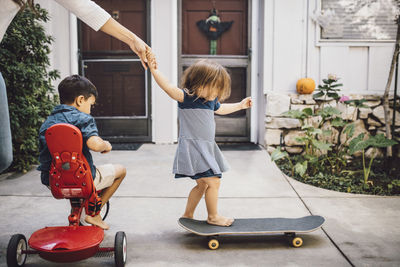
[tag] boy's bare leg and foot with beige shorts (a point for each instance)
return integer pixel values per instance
(113, 174)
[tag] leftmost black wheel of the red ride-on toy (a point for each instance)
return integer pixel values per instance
(15, 257)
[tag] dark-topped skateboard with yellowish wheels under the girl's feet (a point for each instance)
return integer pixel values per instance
(256, 226)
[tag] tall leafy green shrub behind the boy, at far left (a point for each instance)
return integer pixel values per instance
(24, 54)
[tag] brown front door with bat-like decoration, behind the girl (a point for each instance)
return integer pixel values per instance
(232, 51)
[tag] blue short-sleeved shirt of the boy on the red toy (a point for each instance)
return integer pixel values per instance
(66, 114)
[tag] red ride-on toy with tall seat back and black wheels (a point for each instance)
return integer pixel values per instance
(70, 178)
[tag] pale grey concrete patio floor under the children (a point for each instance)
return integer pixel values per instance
(359, 230)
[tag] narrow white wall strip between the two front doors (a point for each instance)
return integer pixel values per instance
(164, 30)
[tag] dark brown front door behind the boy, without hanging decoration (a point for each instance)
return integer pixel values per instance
(123, 106)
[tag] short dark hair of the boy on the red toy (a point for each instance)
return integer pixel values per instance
(73, 86)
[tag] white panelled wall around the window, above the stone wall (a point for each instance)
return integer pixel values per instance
(292, 51)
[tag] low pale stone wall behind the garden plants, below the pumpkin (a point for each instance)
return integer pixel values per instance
(283, 131)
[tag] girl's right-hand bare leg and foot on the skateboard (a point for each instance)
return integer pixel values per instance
(211, 197)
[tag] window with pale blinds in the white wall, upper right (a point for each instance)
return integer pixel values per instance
(359, 20)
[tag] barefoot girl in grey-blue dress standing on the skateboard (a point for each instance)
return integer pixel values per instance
(198, 156)
